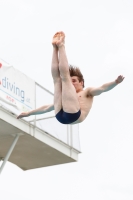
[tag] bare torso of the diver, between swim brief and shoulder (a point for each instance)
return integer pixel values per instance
(85, 102)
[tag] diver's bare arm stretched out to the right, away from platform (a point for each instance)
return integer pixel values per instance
(105, 87)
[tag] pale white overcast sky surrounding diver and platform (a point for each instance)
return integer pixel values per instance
(99, 39)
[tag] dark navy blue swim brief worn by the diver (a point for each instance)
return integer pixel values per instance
(67, 118)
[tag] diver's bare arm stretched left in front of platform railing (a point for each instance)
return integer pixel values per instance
(37, 111)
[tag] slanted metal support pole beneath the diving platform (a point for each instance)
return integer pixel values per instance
(9, 152)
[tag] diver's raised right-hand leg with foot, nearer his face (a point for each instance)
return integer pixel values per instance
(70, 101)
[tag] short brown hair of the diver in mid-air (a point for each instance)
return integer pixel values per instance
(75, 71)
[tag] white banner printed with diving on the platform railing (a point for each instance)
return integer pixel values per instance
(16, 88)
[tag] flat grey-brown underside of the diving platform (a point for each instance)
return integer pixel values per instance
(29, 152)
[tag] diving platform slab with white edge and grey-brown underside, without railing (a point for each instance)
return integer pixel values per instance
(33, 148)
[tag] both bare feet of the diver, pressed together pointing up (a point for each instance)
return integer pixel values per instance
(59, 39)
